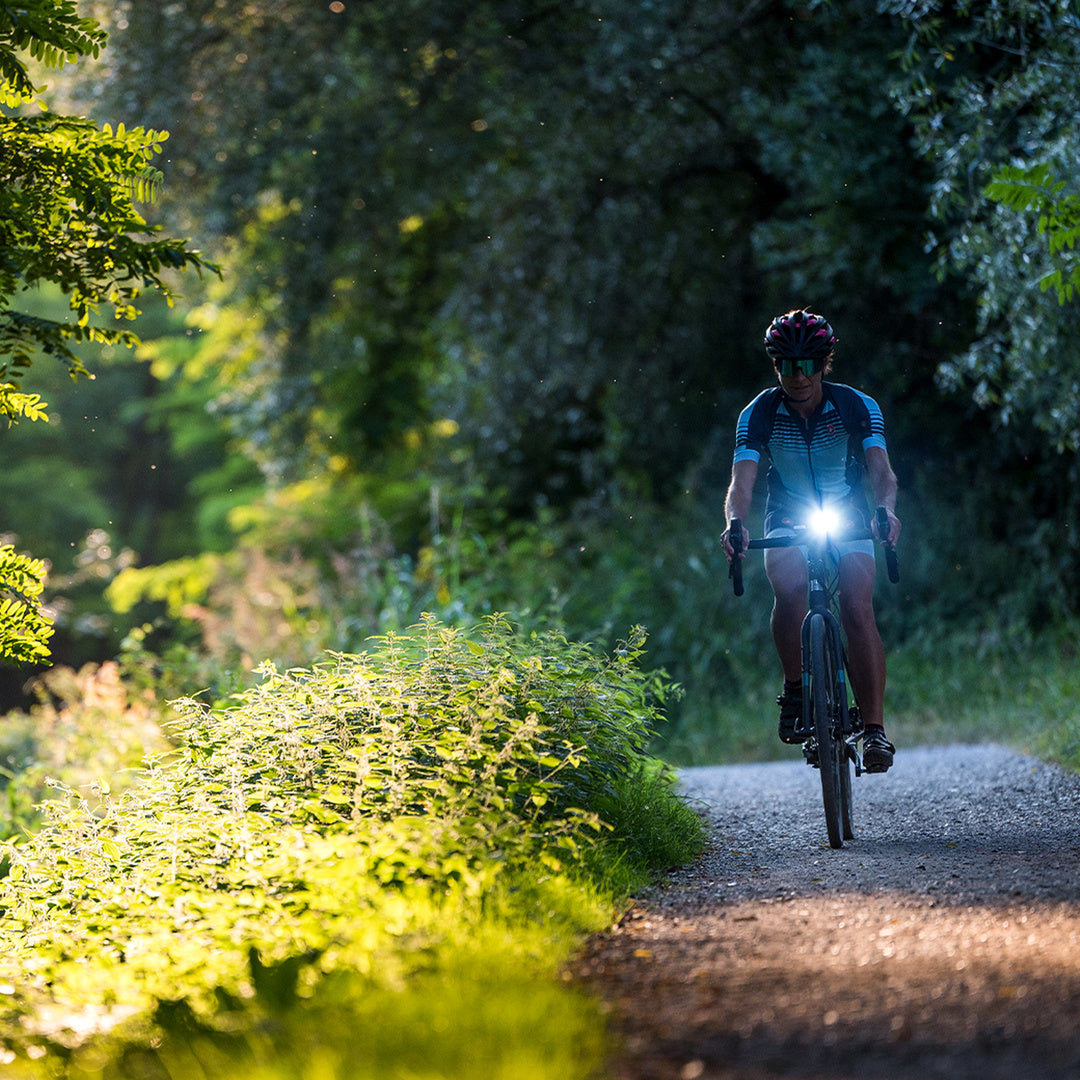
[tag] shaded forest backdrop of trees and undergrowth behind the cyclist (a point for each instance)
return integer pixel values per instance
(495, 278)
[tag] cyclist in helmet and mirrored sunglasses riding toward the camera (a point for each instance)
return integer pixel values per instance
(819, 439)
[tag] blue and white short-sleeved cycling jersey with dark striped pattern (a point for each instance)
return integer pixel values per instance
(812, 462)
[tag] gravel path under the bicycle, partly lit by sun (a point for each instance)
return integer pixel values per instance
(943, 942)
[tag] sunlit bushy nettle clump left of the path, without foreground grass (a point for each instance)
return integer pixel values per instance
(327, 820)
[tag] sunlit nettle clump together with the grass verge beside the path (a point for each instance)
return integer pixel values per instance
(426, 818)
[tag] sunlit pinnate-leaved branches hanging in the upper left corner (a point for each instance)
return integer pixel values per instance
(67, 208)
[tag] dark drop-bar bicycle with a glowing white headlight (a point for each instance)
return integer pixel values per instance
(832, 728)
